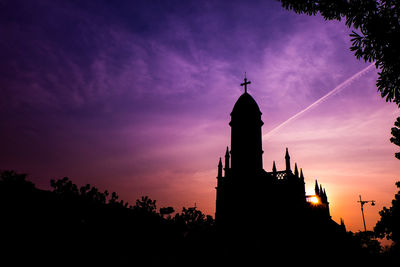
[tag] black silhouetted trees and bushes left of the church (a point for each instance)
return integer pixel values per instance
(72, 224)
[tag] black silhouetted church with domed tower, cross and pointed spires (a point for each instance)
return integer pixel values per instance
(255, 207)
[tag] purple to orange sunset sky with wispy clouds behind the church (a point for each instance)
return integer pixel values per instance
(135, 96)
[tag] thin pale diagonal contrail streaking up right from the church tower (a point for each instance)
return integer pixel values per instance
(337, 89)
